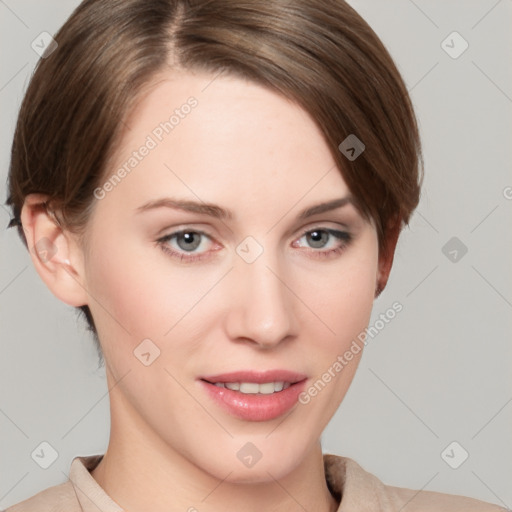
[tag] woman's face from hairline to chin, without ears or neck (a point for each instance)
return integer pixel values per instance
(183, 297)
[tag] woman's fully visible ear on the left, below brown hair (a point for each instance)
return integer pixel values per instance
(55, 253)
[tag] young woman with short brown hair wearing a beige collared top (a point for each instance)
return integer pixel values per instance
(277, 141)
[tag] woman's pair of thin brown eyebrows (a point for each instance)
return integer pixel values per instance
(218, 212)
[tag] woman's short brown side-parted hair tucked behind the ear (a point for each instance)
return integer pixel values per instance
(319, 53)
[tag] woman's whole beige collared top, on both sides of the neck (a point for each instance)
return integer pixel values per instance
(359, 491)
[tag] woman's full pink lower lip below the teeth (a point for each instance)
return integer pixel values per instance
(255, 407)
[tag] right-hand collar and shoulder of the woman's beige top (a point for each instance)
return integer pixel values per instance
(359, 490)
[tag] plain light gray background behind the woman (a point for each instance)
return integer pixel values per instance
(438, 373)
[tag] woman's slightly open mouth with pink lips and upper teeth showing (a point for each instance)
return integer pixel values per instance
(255, 396)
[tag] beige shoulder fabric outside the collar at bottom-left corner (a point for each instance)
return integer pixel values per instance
(59, 498)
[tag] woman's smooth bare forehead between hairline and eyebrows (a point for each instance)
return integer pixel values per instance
(226, 140)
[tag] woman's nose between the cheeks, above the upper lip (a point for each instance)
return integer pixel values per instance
(261, 304)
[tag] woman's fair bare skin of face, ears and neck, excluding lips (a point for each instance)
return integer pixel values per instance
(171, 447)
